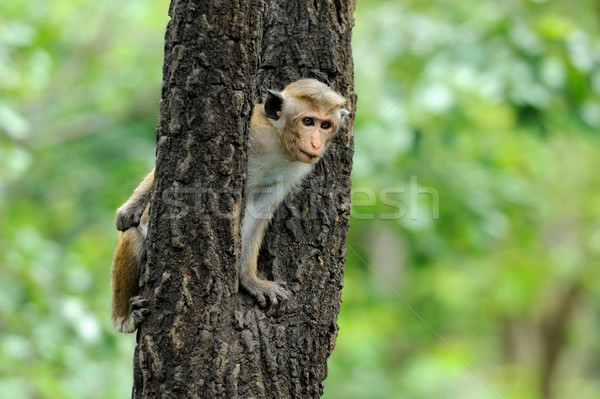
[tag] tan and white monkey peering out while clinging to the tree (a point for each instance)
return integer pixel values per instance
(289, 133)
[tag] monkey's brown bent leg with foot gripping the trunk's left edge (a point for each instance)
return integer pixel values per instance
(128, 309)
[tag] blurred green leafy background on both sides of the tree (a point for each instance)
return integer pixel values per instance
(473, 251)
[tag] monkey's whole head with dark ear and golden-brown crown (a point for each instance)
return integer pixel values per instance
(307, 114)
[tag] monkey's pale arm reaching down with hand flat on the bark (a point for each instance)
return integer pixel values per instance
(256, 220)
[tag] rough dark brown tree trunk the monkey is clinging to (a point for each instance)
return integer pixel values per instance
(203, 339)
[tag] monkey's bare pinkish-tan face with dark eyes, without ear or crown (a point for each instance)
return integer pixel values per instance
(314, 132)
